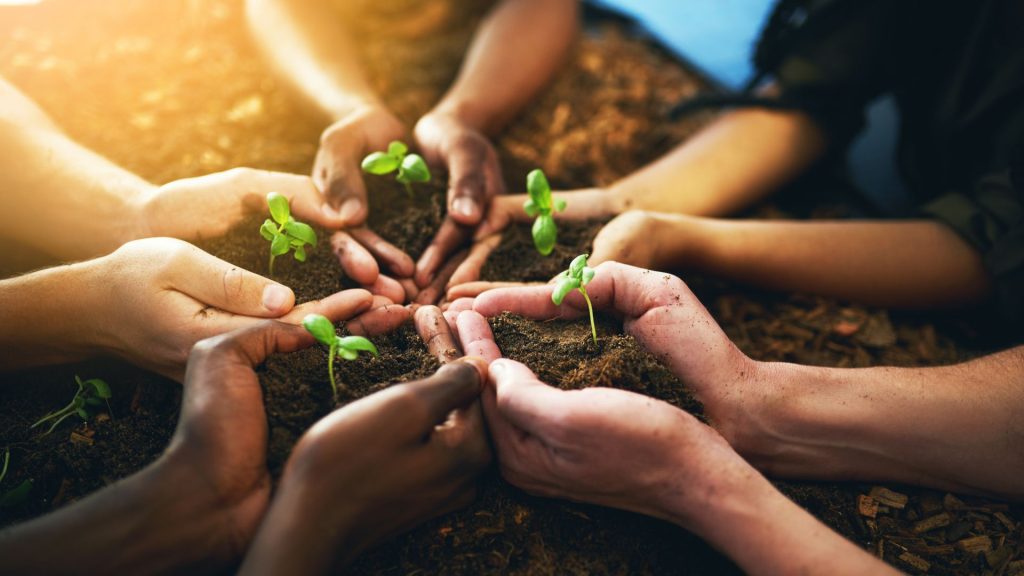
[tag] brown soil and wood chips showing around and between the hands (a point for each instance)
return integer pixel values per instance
(175, 90)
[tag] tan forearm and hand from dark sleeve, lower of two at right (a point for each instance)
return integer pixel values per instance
(910, 265)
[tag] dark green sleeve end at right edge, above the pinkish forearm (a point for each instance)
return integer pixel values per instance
(992, 220)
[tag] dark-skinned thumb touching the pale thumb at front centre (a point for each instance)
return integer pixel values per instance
(454, 386)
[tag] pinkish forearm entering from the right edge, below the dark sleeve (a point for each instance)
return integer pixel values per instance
(955, 428)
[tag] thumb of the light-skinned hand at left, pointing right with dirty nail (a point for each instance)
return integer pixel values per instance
(217, 283)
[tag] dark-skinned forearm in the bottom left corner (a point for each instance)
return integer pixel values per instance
(136, 526)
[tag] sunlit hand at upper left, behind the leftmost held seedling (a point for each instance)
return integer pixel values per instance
(209, 207)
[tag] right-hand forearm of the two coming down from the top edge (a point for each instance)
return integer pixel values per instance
(516, 53)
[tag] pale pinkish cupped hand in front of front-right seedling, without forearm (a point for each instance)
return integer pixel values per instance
(603, 446)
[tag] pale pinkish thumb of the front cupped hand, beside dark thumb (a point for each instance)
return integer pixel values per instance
(523, 399)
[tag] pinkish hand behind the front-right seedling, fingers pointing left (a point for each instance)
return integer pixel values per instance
(666, 318)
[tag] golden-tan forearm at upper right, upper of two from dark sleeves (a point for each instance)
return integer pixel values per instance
(735, 161)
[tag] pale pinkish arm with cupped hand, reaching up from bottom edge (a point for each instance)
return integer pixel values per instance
(625, 450)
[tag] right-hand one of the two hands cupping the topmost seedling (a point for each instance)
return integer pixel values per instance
(475, 178)
